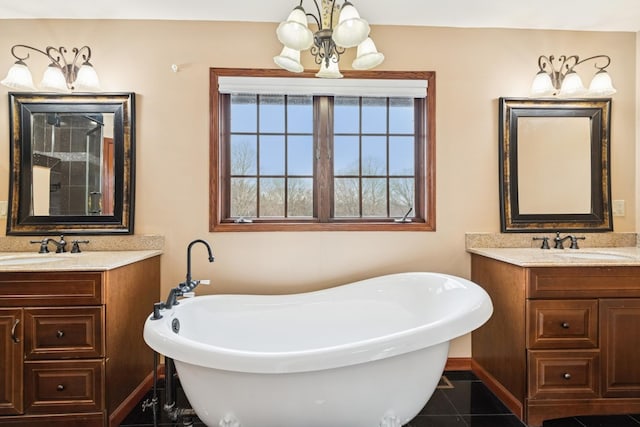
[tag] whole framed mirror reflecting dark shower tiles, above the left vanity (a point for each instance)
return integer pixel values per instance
(72, 160)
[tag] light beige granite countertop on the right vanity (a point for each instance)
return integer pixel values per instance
(536, 257)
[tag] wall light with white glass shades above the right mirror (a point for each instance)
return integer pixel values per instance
(564, 81)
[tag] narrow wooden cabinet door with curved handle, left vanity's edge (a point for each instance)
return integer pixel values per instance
(11, 348)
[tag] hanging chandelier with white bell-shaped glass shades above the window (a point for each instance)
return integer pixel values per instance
(339, 28)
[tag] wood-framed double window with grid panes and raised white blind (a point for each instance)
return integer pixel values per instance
(288, 155)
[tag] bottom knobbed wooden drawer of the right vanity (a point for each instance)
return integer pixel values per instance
(571, 374)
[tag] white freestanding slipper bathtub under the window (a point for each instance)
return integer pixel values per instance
(365, 354)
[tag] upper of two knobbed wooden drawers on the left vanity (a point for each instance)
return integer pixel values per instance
(63, 333)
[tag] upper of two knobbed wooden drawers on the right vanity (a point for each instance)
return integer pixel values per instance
(555, 324)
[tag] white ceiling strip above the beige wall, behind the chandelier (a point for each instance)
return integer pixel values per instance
(584, 15)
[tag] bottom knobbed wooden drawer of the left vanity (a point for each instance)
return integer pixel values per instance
(64, 386)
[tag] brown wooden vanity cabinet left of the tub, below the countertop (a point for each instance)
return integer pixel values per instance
(71, 347)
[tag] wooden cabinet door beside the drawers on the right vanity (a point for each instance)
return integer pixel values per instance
(620, 335)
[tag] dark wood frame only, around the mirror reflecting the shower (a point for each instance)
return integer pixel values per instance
(23, 106)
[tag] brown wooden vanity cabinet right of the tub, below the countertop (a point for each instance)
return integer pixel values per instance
(563, 341)
